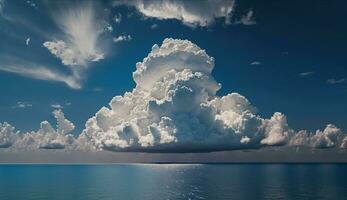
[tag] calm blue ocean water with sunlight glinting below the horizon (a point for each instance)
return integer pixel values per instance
(173, 181)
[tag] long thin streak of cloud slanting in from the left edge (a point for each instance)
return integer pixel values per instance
(39, 72)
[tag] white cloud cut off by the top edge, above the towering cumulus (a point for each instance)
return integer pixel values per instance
(192, 13)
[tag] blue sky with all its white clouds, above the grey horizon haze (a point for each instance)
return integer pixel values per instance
(72, 57)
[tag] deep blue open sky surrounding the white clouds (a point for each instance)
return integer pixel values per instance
(289, 57)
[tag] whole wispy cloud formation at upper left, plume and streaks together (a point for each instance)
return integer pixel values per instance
(76, 46)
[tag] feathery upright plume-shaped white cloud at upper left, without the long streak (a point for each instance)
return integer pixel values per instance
(80, 45)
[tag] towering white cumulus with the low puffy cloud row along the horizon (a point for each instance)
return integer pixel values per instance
(173, 108)
